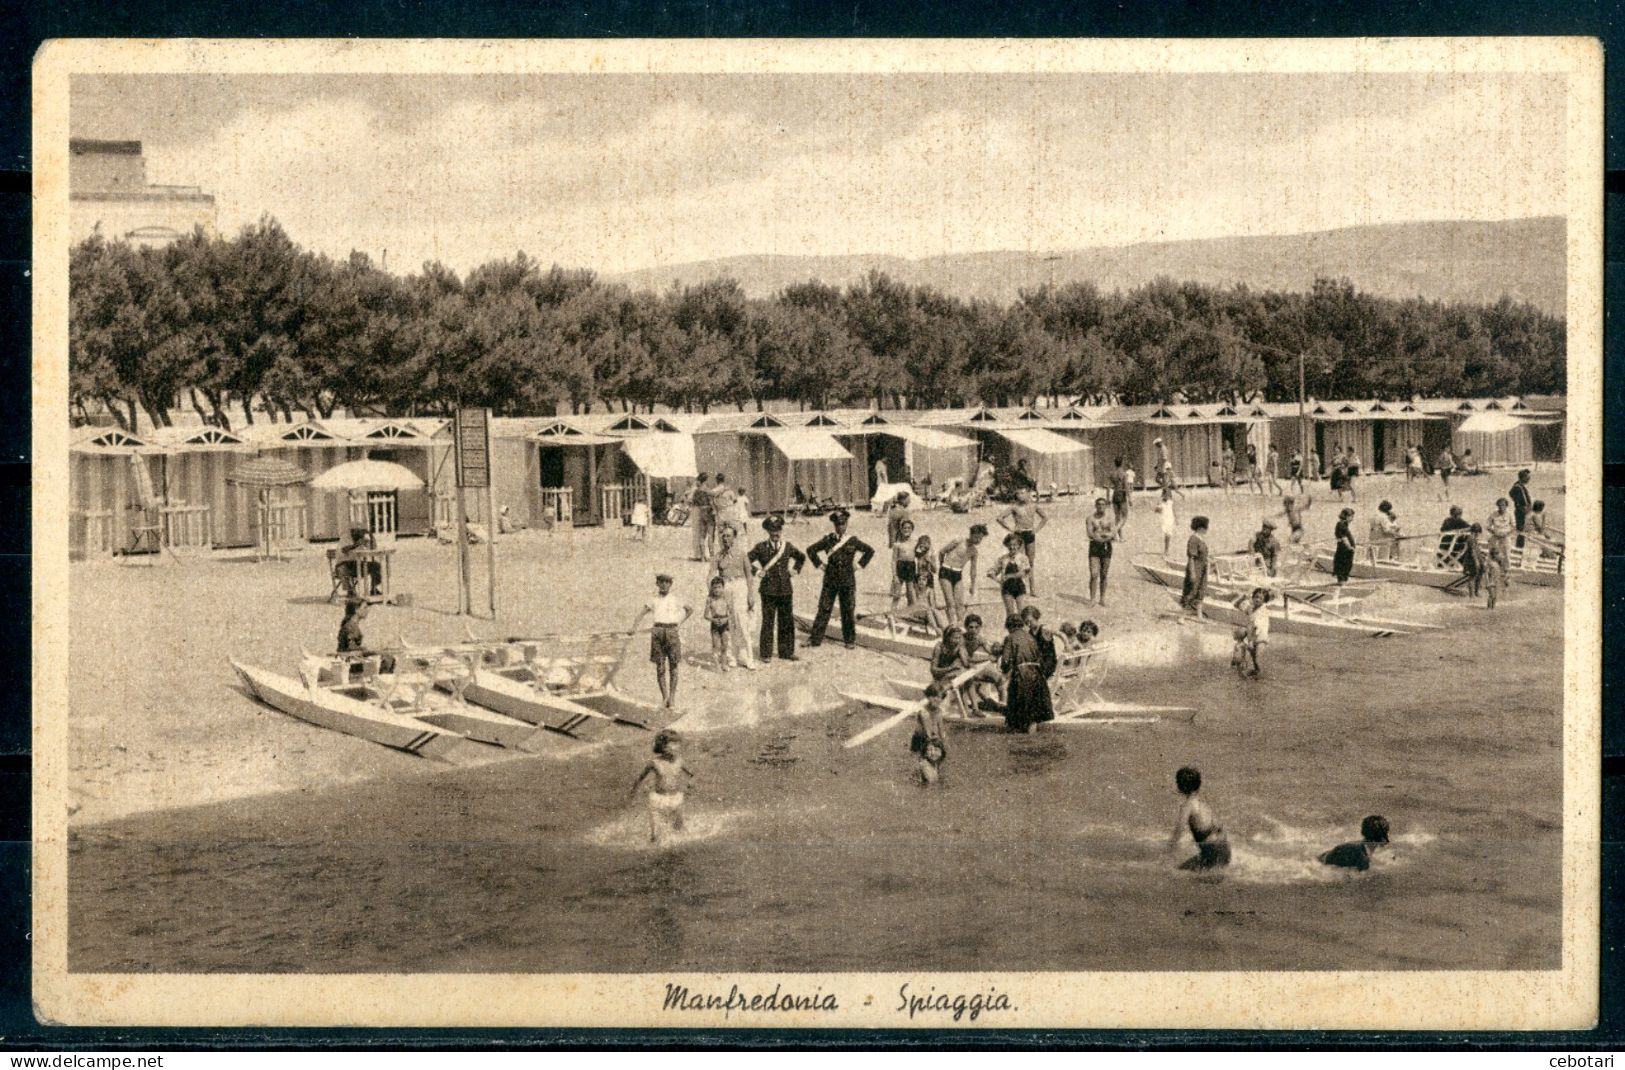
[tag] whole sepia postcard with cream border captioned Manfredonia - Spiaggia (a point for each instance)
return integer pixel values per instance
(873, 534)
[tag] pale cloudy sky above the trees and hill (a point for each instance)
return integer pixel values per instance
(631, 172)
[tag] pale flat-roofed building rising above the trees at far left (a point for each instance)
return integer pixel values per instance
(108, 191)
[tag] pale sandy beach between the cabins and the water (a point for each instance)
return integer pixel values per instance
(158, 720)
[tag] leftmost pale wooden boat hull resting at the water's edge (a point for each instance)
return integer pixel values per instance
(334, 710)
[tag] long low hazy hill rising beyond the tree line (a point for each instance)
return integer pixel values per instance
(1463, 261)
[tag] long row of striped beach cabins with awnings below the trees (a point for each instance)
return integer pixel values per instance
(589, 469)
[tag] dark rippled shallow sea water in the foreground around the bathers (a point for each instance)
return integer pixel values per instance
(1034, 853)
